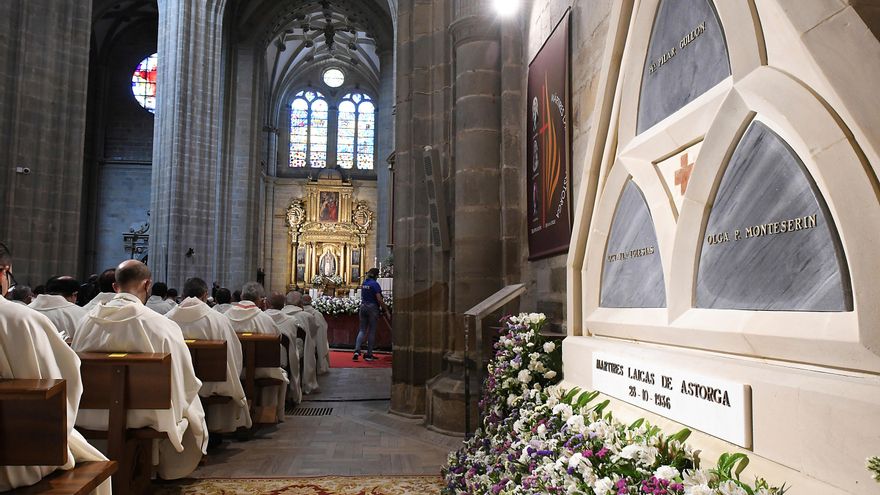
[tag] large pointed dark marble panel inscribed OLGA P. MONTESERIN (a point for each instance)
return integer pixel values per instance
(771, 243)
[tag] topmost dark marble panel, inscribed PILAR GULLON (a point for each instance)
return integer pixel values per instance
(687, 56)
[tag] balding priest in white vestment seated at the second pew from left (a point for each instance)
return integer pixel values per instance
(125, 325)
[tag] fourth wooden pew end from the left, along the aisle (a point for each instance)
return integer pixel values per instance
(259, 351)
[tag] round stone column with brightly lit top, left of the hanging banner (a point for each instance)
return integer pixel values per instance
(476, 244)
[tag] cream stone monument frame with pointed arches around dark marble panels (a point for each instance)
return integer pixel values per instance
(806, 71)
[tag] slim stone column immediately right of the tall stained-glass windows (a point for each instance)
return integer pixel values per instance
(384, 147)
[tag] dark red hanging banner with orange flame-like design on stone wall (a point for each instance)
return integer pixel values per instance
(548, 168)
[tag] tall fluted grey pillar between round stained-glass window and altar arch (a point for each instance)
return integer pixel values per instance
(186, 151)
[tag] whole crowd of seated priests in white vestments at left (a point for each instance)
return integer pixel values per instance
(123, 311)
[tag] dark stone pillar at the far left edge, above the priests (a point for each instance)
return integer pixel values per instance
(44, 62)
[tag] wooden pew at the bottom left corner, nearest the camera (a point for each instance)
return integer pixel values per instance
(33, 432)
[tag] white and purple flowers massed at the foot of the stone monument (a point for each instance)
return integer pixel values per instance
(539, 438)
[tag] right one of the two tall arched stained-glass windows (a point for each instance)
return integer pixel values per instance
(356, 137)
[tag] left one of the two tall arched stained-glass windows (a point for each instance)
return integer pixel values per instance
(308, 130)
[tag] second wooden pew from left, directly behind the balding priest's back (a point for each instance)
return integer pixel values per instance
(120, 382)
